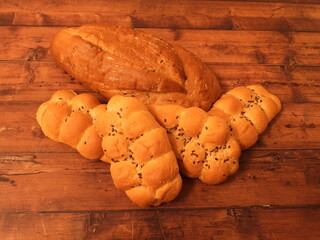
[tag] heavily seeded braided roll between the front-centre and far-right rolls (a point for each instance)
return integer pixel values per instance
(202, 144)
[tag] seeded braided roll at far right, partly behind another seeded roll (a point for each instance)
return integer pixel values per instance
(248, 110)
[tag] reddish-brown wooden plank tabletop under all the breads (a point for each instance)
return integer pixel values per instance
(48, 191)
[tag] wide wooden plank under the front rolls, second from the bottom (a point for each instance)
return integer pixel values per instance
(67, 182)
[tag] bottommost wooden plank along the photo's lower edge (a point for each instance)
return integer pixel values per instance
(230, 223)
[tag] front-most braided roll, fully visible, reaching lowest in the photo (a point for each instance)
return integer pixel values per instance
(142, 161)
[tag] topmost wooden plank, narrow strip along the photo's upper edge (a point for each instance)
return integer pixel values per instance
(127, 6)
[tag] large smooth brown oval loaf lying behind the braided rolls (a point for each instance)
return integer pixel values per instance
(117, 60)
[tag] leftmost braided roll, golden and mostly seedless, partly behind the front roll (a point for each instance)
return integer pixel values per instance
(68, 118)
